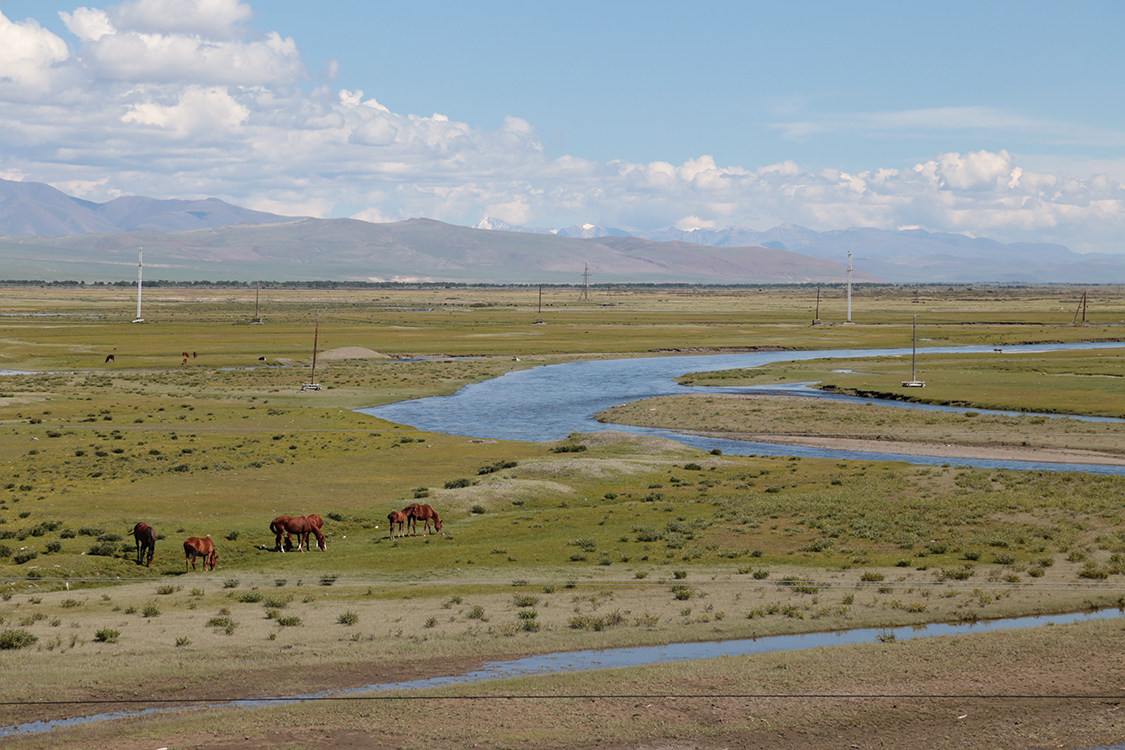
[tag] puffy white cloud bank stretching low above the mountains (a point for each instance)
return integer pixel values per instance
(188, 98)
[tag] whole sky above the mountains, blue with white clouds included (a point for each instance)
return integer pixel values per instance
(997, 120)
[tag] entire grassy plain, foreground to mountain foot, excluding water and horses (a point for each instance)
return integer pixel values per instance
(195, 421)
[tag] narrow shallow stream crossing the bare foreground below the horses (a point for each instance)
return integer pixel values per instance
(573, 662)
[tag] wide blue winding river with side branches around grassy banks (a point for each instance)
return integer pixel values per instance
(550, 403)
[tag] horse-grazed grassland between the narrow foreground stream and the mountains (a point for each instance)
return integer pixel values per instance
(618, 532)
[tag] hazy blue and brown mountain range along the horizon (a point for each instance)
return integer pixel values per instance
(47, 234)
